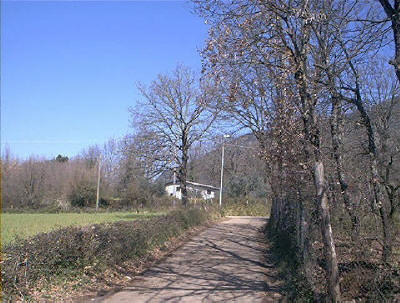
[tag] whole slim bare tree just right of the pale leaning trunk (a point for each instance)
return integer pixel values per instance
(337, 41)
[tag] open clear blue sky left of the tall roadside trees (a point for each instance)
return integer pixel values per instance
(69, 69)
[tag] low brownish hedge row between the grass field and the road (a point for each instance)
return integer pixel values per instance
(70, 250)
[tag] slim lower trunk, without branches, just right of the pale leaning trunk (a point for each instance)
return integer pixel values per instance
(337, 143)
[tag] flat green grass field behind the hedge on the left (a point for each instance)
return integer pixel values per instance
(27, 225)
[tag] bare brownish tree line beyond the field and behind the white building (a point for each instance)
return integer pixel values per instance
(62, 183)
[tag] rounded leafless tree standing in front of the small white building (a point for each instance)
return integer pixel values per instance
(171, 117)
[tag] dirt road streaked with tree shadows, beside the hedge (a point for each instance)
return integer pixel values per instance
(225, 263)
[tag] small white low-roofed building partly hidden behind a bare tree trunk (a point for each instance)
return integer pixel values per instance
(195, 190)
